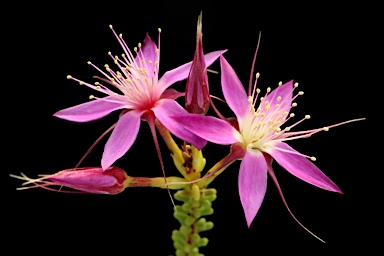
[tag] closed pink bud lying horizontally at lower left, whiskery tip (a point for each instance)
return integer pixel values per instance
(90, 180)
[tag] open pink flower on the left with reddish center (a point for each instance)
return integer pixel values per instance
(139, 91)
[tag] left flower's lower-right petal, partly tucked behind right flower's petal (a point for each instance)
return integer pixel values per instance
(164, 109)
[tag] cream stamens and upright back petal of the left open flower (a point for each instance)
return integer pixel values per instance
(136, 79)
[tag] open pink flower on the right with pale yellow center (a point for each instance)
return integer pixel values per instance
(258, 137)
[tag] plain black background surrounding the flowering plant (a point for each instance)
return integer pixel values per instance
(316, 46)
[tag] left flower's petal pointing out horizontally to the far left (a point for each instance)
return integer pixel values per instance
(89, 111)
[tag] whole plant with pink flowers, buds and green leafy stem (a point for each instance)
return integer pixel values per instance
(260, 132)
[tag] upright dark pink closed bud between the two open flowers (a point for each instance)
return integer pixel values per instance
(197, 99)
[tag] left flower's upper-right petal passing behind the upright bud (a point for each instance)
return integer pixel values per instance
(180, 73)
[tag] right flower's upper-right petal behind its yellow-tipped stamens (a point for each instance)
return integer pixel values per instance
(285, 92)
